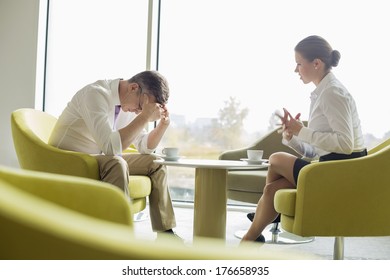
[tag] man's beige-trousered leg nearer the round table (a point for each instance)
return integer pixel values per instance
(161, 210)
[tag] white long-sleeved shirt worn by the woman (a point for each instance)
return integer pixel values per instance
(333, 125)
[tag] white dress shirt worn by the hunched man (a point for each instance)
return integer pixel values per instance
(87, 123)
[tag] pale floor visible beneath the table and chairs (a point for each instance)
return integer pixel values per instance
(367, 248)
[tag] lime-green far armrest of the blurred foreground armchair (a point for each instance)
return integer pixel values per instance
(91, 197)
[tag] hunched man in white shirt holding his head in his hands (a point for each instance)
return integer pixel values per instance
(106, 117)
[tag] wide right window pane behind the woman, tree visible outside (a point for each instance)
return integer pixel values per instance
(225, 57)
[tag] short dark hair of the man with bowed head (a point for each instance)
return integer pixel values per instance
(154, 83)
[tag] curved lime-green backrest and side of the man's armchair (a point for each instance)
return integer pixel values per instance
(31, 130)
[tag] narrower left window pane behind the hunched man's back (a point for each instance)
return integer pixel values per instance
(91, 40)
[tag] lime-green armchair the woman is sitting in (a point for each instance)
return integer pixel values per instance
(342, 198)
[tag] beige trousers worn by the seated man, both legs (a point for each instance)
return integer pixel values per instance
(116, 170)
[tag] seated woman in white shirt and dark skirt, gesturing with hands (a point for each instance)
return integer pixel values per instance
(333, 131)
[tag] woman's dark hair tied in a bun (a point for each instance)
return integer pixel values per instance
(313, 47)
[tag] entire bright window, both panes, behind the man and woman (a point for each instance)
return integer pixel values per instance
(230, 64)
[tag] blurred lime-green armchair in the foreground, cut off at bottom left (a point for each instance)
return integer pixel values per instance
(47, 216)
